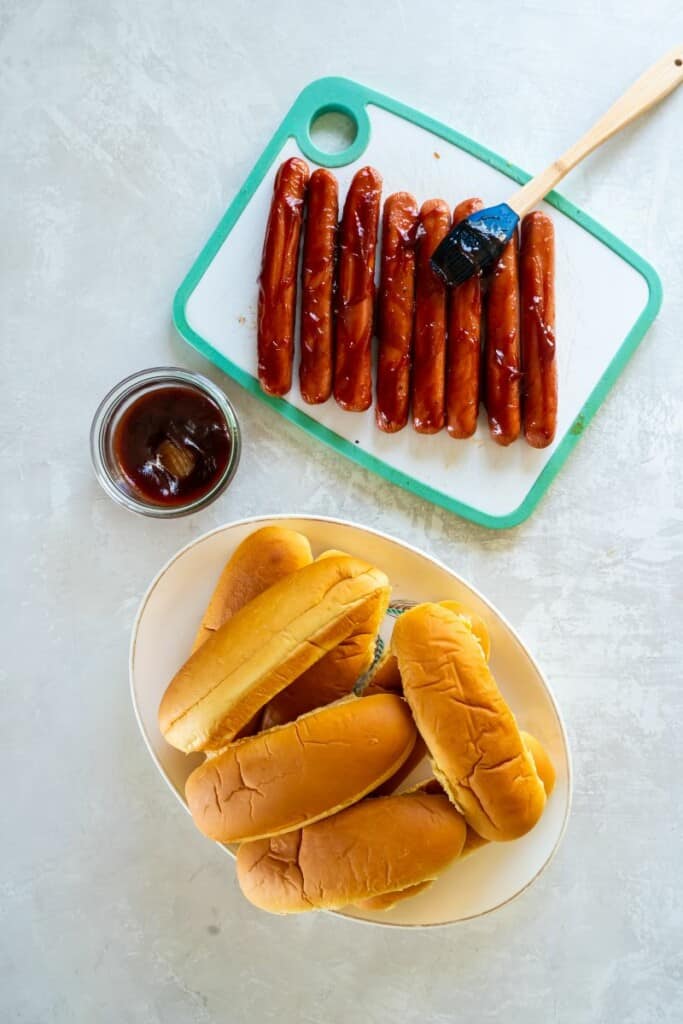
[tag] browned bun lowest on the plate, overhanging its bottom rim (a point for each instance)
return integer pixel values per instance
(375, 847)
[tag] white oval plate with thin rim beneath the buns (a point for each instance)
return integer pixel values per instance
(173, 610)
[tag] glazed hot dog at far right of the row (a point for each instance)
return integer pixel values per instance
(537, 268)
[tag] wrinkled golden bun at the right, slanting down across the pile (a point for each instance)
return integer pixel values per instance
(478, 752)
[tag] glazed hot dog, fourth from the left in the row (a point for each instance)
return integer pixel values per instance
(397, 303)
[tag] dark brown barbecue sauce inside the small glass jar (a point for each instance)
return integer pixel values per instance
(173, 445)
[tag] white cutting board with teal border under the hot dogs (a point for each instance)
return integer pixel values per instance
(599, 328)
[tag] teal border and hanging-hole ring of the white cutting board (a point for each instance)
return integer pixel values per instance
(345, 96)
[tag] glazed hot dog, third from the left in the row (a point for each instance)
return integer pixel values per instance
(356, 300)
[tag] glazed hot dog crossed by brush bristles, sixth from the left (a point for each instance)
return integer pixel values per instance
(463, 370)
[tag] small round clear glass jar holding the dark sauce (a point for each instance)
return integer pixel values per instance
(109, 415)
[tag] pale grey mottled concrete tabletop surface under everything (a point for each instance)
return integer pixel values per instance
(125, 130)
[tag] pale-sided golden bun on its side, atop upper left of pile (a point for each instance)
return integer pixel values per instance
(264, 648)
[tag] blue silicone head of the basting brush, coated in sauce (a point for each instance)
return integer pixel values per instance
(475, 244)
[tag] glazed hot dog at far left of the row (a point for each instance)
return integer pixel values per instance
(277, 294)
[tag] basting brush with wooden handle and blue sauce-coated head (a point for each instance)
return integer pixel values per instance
(479, 241)
